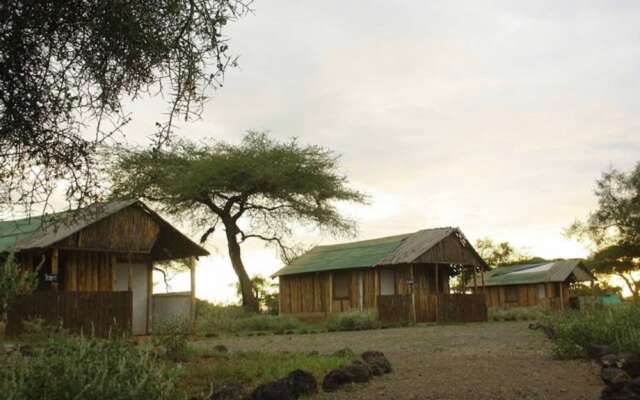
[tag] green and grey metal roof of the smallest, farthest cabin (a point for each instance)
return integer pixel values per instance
(555, 271)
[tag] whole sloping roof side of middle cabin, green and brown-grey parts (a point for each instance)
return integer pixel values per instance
(399, 249)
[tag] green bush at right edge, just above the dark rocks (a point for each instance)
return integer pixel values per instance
(617, 326)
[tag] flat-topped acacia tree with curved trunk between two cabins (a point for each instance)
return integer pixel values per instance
(258, 189)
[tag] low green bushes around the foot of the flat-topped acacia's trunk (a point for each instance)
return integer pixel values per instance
(214, 319)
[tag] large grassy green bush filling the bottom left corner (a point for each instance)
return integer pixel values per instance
(86, 369)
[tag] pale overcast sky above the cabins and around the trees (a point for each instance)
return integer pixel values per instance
(496, 118)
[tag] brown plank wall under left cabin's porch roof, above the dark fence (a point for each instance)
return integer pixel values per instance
(86, 271)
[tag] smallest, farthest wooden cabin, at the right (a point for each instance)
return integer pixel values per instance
(543, 284)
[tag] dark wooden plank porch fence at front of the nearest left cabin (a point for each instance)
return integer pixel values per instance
(100, 313)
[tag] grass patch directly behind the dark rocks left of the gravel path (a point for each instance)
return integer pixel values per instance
(252, 368)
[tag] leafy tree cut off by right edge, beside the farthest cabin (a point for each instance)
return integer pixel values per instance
(614, 227)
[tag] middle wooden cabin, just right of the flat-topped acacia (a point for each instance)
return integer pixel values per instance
(353, 276)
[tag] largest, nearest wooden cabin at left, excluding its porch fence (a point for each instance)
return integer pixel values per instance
(104, 248)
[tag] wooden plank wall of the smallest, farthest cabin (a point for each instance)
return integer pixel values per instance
(527, 296)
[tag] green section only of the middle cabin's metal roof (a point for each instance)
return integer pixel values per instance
(343, 256)
